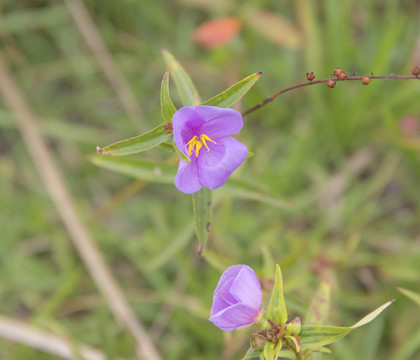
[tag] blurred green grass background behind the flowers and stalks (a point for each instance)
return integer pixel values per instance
(346, 159)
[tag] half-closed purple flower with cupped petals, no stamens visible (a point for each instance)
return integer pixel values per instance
(237, 299)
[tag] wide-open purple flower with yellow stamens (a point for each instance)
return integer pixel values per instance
(203, 134)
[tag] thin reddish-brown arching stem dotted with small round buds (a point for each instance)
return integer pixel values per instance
(314, 82)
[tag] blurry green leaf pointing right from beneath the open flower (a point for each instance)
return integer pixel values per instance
(244, 190)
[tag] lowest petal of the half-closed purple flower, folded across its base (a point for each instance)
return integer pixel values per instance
(234, 317)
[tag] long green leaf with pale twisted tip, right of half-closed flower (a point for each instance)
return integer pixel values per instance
(316, 336)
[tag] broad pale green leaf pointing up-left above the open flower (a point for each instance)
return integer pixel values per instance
(183, 82)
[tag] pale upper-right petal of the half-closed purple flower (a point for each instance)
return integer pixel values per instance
(247, 289)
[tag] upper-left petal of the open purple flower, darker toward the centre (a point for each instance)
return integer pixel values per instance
(186, 123)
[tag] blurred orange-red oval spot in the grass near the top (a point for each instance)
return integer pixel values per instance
(217, 32)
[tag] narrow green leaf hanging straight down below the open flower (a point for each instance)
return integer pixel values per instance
(202, 215)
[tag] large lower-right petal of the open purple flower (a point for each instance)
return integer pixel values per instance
(217, 164)
